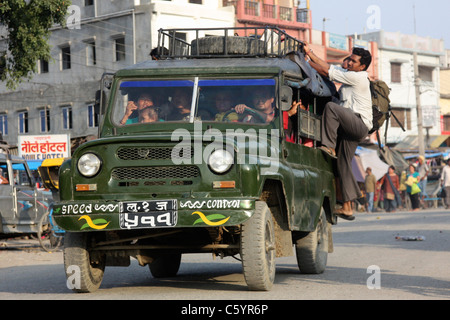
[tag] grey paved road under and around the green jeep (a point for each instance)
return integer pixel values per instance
(407, 269)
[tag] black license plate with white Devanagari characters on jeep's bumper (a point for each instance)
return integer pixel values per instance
(148, 214)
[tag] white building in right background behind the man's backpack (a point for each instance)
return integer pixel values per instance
(396, 68)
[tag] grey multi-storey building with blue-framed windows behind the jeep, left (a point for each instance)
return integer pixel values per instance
(101, 36)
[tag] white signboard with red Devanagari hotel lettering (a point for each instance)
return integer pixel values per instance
(41, 147)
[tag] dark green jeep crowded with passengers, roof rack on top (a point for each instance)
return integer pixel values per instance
(180, 168)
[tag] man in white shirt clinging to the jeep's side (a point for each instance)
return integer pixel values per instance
(346, 124)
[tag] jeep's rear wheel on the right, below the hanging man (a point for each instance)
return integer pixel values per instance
(312, 248)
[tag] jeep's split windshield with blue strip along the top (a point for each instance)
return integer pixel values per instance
(213, 100)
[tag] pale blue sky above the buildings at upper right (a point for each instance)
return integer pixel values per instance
(358, 16)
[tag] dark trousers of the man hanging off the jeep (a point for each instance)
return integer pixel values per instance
(343, 130)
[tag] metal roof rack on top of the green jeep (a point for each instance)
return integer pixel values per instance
(226, 43)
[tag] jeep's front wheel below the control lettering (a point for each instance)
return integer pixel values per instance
(258, 249)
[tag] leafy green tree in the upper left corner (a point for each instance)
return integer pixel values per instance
(27, 23)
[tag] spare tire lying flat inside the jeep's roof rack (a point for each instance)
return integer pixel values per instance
(215, 45)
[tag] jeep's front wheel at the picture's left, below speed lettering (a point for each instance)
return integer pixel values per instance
(84, 271)
